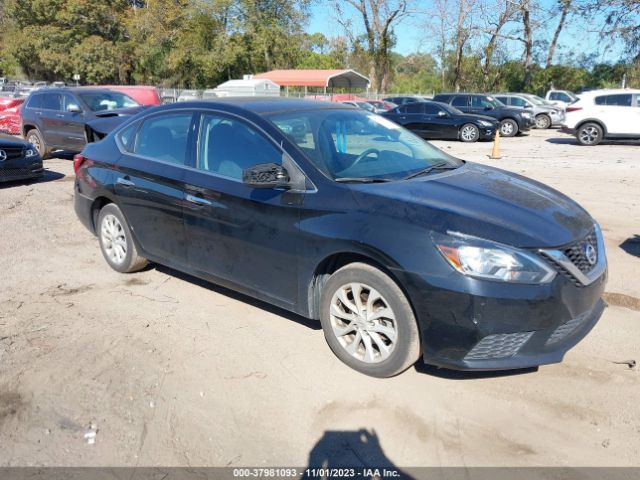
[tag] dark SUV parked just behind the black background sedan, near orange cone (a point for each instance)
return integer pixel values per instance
(512, 120)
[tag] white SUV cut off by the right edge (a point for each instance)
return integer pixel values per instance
(604, 114)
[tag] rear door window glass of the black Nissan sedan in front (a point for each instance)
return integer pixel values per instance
(165, 138)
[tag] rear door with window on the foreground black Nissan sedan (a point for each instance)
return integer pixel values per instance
(150, 184)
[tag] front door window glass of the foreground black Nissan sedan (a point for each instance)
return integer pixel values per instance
(228, 146)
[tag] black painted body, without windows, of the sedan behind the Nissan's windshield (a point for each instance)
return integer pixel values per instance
(432, 126)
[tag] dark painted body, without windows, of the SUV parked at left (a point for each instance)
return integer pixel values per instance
(63, 130)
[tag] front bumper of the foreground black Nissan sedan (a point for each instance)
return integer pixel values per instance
(479, 325)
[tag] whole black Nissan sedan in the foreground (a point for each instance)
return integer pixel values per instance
(340, 215)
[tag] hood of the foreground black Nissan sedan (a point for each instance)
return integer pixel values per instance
(484, 202)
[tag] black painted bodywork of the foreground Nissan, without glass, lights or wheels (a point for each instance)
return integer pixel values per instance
(276, 245)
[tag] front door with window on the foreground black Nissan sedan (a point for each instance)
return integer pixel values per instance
(244, 236)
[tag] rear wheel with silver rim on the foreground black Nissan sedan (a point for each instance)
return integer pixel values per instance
(116, 241)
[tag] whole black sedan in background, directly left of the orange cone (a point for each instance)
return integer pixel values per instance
(435, 120)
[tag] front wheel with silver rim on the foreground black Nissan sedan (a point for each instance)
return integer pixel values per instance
(380, 347)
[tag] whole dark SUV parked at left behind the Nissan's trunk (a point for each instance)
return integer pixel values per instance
(69, 118)
